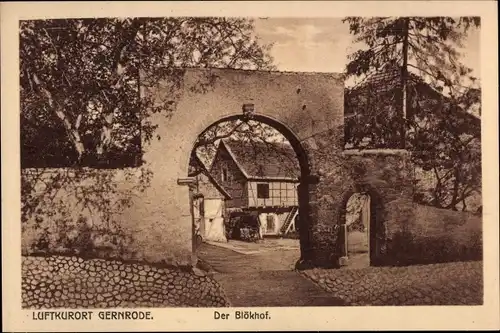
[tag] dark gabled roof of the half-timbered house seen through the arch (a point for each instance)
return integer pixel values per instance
(263, 160)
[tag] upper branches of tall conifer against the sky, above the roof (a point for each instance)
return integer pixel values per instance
(428, 45)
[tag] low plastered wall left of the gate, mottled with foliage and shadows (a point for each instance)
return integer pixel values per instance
(79, 211)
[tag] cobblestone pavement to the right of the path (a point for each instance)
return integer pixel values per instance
(439, 284)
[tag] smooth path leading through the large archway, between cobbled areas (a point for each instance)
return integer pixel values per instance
(261, 279)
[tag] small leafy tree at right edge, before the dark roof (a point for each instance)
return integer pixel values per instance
(447, 144)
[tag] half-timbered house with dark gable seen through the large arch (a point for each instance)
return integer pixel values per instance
(261, 178)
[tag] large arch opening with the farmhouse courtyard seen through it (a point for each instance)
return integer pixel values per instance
(249, 189)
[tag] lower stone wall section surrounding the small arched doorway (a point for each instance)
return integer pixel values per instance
(387, 176)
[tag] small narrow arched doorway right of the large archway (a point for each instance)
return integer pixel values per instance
(358, 229)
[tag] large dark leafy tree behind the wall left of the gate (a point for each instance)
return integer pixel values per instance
(80, 78)
